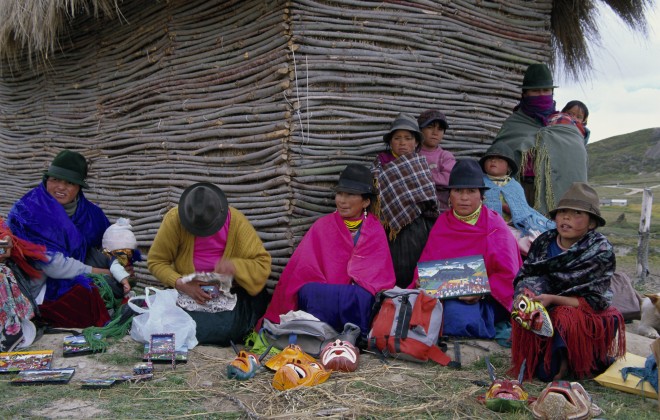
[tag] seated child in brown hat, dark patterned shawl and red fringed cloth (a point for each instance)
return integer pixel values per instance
(568, 270)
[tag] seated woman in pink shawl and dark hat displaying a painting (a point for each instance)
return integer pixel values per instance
(469, 229)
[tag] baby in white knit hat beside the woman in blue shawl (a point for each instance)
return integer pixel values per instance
(120, 245)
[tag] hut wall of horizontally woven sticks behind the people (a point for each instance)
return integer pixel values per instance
(269, 100)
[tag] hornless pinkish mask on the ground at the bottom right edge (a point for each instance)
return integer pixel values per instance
(565, 400)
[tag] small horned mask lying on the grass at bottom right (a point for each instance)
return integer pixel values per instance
(505, 394)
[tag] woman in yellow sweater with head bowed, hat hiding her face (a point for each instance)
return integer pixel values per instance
(204, 234)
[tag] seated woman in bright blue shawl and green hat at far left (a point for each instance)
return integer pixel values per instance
(56, 214)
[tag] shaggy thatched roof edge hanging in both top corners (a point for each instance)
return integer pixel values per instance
(34, 25)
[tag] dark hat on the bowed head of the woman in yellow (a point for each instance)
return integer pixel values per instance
(203, 209)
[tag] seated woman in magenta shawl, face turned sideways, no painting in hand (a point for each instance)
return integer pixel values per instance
(341, 263)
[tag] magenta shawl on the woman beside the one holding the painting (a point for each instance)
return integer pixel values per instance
(327, 255)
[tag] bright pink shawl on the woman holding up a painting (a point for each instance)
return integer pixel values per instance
(490, 237)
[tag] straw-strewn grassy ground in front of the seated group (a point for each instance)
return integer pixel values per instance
(199, 389)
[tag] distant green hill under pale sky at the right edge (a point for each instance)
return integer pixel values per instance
(628, 154)
